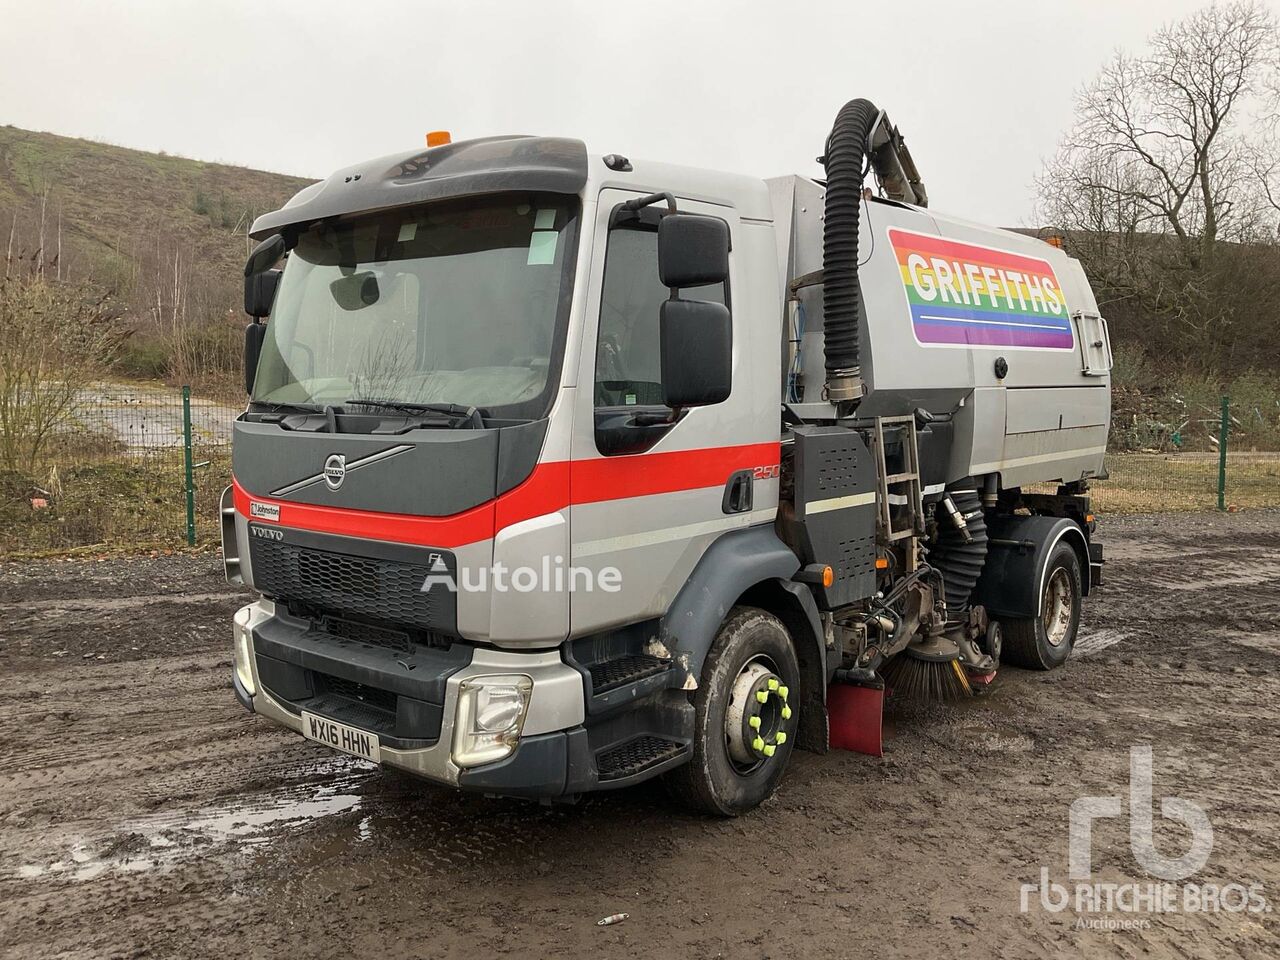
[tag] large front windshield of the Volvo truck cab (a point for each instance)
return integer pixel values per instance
(458, 303)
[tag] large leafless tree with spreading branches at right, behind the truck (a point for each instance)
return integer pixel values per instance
(1169, 170)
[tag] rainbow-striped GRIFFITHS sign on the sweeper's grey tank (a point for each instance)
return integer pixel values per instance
(962, 295)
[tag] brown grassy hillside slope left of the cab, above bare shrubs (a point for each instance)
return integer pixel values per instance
(117, 205)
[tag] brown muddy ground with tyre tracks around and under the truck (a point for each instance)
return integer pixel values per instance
(144, 813)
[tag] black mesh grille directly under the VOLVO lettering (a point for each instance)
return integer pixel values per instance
(380, 589)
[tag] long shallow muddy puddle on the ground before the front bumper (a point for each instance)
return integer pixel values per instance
(170, 838)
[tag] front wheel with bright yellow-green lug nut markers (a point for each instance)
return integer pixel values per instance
(746, 717)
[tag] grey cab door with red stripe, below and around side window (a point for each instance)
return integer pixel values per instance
(650, 491)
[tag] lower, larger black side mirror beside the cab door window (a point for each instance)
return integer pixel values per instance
(697, 348)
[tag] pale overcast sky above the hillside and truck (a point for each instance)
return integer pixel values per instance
(982, 90)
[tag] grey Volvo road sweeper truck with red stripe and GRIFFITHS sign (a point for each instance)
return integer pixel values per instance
(735, 442)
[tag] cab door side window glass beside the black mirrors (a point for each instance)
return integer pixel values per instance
(628, 359)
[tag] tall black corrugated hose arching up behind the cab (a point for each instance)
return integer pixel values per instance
(847, 166)
